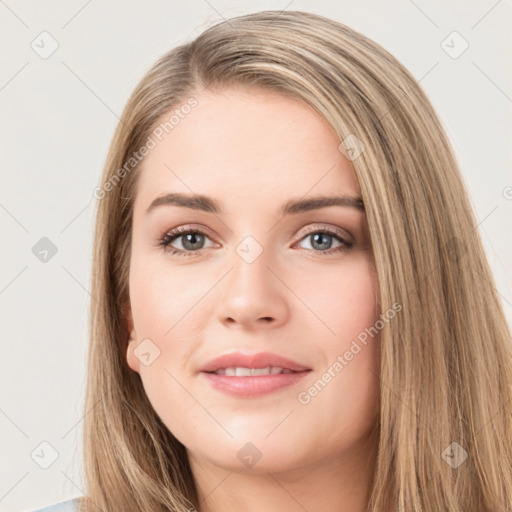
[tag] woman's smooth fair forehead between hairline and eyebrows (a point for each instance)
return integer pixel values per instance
(242, 144)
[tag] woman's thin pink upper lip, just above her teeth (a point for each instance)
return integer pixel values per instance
(259, 360)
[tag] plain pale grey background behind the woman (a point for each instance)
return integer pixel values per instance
(59, 113)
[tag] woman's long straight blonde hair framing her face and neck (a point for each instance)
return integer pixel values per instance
(446, 374)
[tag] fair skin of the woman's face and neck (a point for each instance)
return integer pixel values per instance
(252, 151)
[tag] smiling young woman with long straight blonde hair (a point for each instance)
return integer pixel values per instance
(238, 364)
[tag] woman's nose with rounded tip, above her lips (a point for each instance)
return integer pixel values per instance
(253, 295)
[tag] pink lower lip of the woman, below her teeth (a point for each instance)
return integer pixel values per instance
(253, 386)
